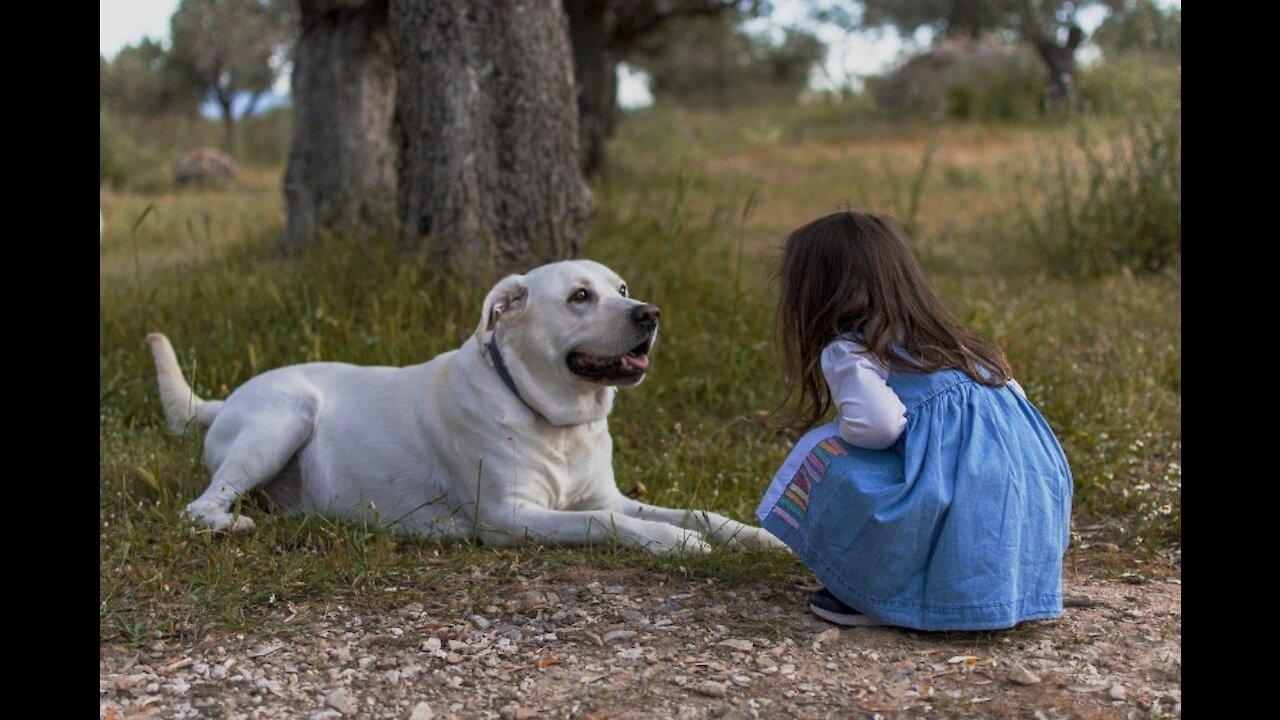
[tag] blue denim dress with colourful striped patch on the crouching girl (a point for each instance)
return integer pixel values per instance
(961, 526)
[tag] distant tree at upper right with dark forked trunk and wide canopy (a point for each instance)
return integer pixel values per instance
(1049, 26)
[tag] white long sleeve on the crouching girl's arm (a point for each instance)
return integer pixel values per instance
(870, 412)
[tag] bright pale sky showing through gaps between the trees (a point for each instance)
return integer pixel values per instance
(851, 57)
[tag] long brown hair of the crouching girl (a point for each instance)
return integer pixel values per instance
(854, 272)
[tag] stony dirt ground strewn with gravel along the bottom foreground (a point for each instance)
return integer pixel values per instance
(620, 645)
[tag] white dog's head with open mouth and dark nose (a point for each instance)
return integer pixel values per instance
(570, 332)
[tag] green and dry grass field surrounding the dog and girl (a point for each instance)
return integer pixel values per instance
(691, 216)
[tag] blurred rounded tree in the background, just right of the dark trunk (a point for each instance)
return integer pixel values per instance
(712, 62)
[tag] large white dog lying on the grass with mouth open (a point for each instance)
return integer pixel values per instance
(504, 440)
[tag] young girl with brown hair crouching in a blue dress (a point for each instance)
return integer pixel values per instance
(939, 499)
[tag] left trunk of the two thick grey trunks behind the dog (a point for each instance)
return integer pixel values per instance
(341, 175)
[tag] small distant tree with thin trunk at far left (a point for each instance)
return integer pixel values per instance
(232, 48)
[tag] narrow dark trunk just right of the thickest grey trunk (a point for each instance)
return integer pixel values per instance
(596, 69)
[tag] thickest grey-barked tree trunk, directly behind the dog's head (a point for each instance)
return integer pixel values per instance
(487, 131)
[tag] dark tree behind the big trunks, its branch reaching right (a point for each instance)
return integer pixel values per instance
(607, 33)
